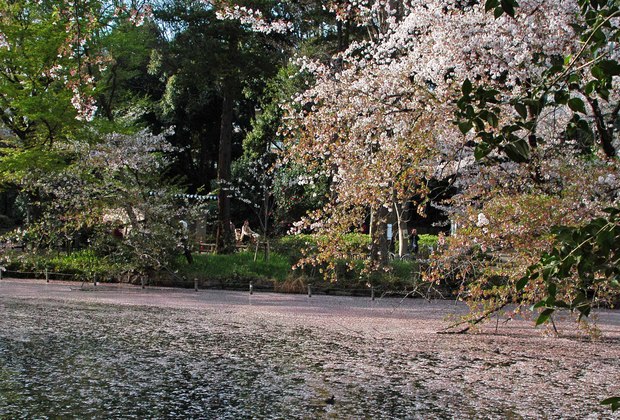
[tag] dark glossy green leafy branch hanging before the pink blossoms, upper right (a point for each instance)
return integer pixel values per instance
(507, 124)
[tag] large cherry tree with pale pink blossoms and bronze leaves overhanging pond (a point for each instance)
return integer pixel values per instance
(393, 99)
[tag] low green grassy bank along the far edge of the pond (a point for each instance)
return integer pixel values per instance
(229, 271)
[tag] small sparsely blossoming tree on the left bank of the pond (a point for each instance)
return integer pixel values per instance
(113, 193)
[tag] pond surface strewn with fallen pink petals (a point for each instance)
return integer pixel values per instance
(174, 354)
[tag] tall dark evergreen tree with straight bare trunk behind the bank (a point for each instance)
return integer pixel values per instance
(237, 50)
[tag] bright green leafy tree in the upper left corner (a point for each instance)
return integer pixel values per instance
(54, 55)
